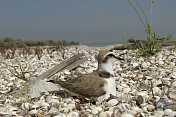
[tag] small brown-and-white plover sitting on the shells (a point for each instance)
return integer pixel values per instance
(99, 84)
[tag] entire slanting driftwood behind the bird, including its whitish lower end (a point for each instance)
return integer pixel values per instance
(35, 87)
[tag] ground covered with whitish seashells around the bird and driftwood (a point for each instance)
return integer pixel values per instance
(145, 85)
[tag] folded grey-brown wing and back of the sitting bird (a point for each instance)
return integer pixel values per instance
(90, 85)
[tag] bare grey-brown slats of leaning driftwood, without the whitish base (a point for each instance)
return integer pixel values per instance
(68, 64)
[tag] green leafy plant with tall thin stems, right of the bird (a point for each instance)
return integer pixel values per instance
(153, 43)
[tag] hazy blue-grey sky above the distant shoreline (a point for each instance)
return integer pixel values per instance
(75, 20)
